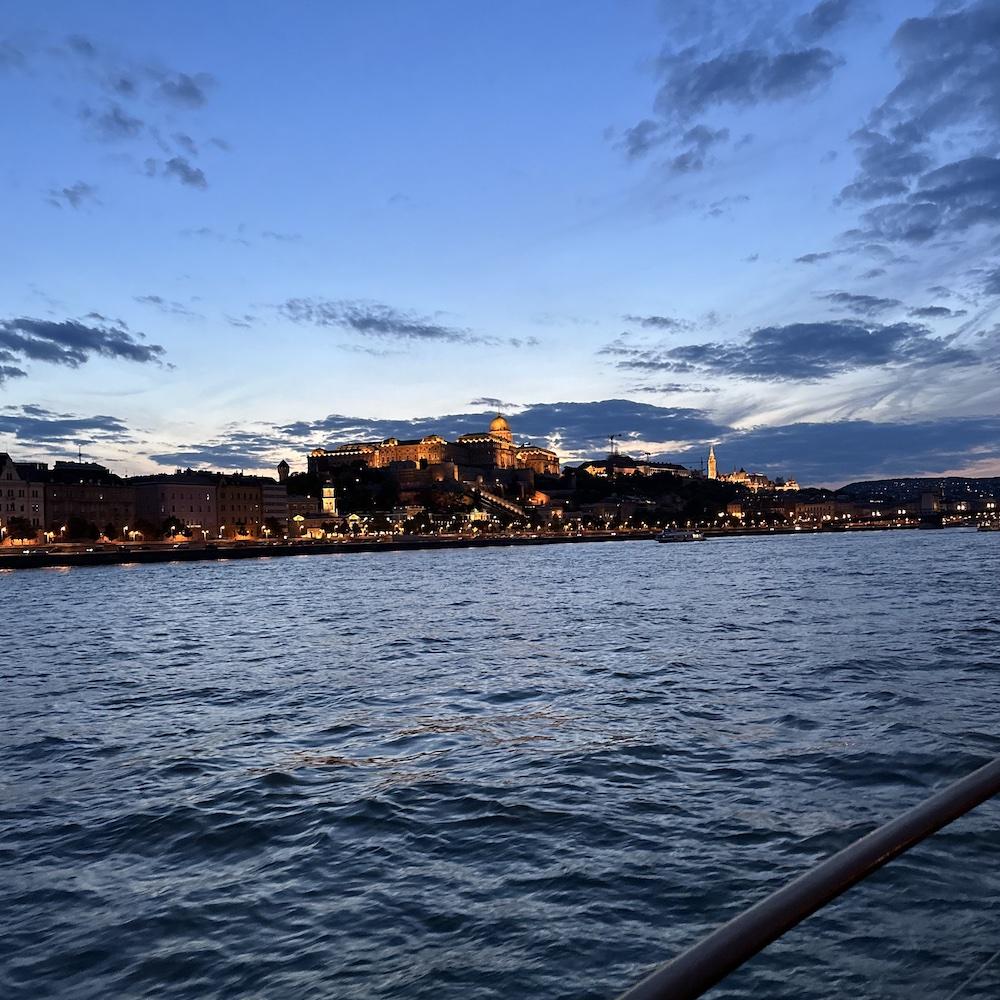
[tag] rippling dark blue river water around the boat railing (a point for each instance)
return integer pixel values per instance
(499, 773)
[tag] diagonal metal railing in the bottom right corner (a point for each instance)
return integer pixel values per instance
(699, 968)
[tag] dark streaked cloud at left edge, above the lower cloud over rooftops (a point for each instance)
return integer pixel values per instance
(73, 342)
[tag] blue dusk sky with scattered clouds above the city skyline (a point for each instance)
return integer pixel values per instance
(238, 231)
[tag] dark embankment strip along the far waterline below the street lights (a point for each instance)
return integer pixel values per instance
(41, 557)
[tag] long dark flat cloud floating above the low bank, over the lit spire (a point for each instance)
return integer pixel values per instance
(809, 352)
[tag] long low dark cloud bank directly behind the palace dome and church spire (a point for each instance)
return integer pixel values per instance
(836, 452)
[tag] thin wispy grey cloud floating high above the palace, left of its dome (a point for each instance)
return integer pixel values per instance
(373, 319)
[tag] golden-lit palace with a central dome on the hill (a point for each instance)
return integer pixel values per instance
(494, 449)
